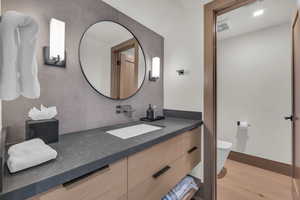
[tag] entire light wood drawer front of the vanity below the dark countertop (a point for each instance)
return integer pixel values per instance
(147, 175)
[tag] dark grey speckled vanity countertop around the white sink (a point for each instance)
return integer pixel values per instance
(86, 151)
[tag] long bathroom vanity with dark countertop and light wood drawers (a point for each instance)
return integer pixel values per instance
(95, 165)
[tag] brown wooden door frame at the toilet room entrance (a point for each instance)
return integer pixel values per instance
(211, 11)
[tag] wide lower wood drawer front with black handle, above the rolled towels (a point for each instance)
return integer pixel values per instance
(155, 188)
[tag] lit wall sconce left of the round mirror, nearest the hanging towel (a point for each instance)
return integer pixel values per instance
(55, 54)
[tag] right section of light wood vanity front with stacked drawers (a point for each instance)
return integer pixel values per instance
(171, 160)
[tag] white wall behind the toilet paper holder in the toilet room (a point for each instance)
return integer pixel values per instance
(254, 84)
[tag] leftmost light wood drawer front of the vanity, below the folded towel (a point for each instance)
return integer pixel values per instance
(108, 183)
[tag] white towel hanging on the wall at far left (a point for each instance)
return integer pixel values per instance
(18, 66)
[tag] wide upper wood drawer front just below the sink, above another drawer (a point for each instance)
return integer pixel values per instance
(142, 165)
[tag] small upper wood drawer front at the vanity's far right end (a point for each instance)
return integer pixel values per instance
(192, 140)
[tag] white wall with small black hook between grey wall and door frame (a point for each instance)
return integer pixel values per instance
(184, 50)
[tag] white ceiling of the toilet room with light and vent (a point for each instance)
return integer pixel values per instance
(241, 20)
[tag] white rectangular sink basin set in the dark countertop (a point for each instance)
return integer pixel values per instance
(133, 131)
